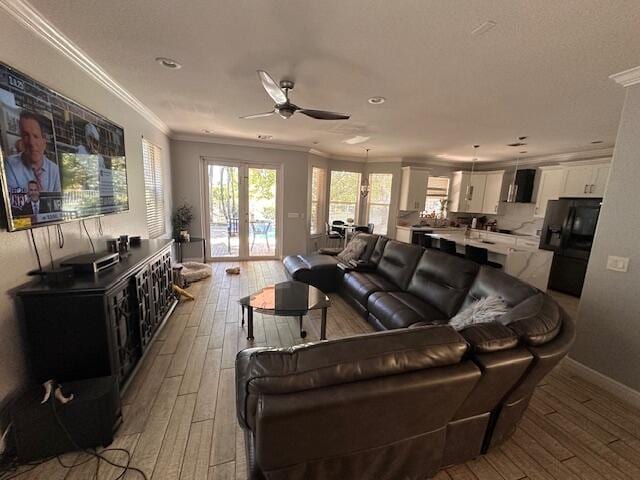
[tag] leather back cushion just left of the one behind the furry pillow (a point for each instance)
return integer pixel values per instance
(443, 280)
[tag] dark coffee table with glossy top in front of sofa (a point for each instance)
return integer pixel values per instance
(290, 299)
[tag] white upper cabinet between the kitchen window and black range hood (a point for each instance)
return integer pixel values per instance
(484, 190)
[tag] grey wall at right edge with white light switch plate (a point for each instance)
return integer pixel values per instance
(608, 338)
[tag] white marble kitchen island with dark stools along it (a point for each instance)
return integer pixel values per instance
(523, 259)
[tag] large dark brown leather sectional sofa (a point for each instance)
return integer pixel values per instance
(405, 402)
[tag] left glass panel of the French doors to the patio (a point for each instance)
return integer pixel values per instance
(224, 210)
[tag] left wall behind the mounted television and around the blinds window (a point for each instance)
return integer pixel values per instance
(24, 51)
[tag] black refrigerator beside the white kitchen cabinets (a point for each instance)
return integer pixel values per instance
(568, 231)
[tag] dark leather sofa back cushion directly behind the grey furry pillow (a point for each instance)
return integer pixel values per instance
(492, 282)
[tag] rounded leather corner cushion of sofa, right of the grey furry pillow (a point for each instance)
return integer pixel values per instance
(536, 321)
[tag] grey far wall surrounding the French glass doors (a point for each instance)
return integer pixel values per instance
(188, 183)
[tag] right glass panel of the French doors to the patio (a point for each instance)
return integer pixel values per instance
(262, 211)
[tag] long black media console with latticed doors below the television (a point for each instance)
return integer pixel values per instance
(99, 324)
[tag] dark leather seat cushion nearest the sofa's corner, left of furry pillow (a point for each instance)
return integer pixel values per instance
(401, 309)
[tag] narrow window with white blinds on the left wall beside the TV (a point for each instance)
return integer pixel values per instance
(153, 189)
